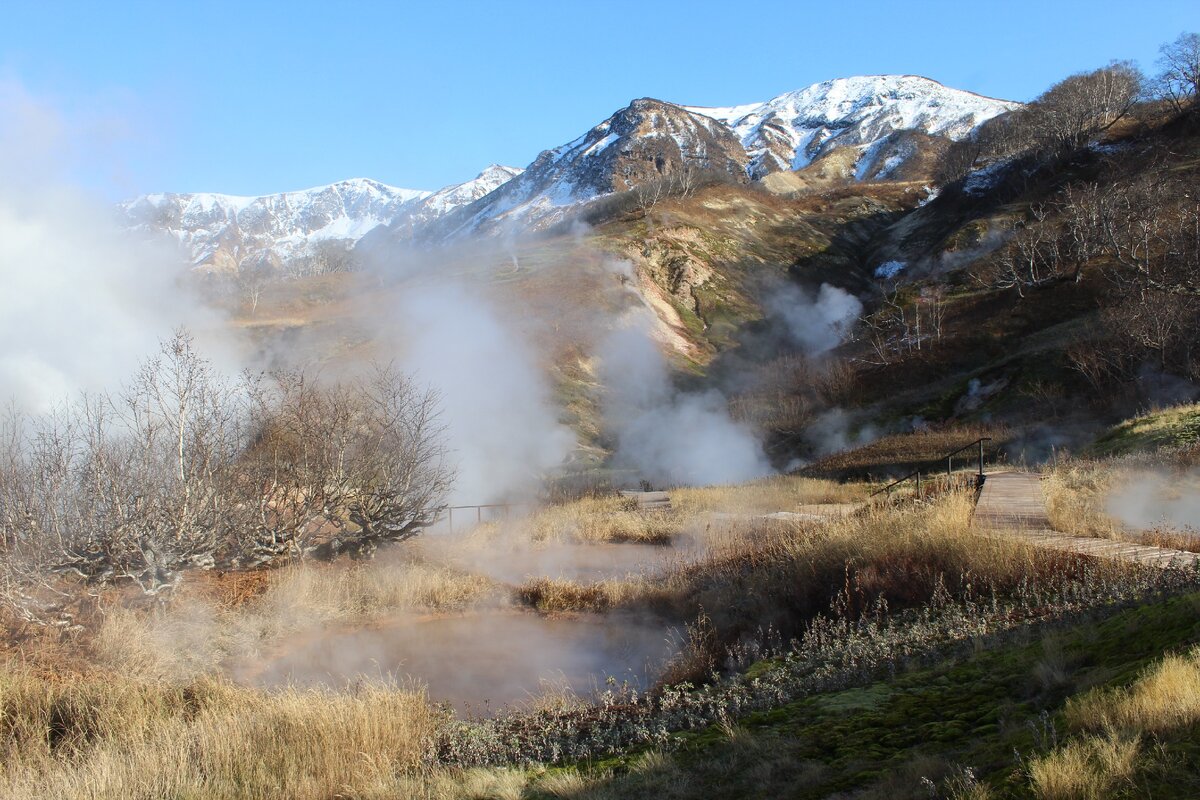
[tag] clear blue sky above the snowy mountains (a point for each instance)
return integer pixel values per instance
(255, 98)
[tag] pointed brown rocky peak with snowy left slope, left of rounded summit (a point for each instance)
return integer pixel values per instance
(645, 142)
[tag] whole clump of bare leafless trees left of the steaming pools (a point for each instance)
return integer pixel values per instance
(185, 468)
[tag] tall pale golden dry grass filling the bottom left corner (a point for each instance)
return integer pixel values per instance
(115, 737)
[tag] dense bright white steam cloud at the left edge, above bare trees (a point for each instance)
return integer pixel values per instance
(82, 303)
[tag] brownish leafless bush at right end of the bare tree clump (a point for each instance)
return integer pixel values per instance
(344, 467)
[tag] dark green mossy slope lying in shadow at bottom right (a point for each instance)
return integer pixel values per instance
(986, 713)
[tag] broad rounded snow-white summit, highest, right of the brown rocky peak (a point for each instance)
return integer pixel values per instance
(794, 130)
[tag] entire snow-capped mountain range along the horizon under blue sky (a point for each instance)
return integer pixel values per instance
(874, 128)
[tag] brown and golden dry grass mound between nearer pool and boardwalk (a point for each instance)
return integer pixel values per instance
(781, 574)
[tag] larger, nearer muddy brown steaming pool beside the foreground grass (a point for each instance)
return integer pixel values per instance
(479, 661)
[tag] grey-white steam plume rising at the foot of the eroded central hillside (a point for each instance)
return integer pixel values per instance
(671, 437)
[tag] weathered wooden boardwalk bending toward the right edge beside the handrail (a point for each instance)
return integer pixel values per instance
(1013, 506)
